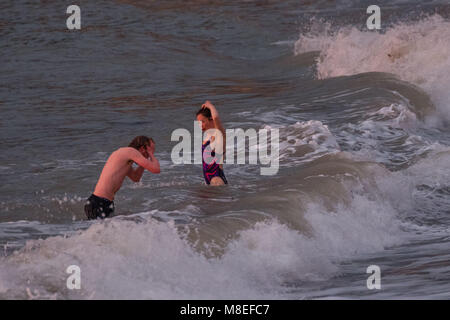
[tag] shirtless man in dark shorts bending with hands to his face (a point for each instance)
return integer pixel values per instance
(120, 165)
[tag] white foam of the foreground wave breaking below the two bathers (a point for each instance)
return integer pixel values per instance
(148, 259)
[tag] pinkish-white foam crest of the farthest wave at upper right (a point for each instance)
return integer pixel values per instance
(417, 52)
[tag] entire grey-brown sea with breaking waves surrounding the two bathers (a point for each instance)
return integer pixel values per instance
(364, 157)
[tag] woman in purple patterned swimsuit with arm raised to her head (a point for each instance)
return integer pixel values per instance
(213, 147)
